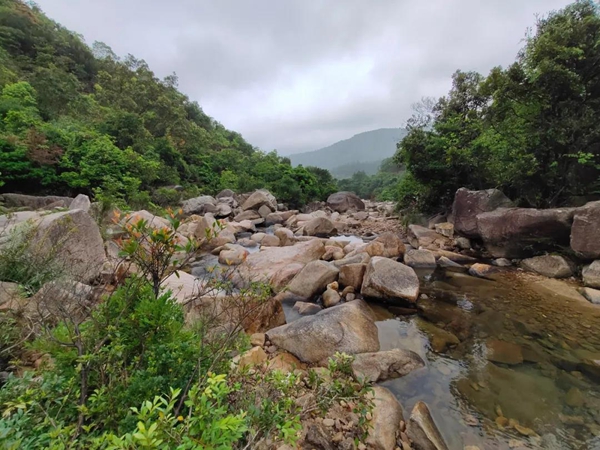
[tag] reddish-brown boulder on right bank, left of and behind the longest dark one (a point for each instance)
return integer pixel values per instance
(468, 204)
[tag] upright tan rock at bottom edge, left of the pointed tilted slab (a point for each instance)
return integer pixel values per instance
(385, 420)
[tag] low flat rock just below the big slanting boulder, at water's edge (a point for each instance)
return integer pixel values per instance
(380, 366)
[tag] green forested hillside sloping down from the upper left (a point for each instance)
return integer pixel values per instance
(78, 119)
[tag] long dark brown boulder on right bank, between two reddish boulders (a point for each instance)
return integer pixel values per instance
(519, 232)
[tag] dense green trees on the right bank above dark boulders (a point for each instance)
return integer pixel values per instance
(530, 129)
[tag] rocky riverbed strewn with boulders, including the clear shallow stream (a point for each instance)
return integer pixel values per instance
(505, 352)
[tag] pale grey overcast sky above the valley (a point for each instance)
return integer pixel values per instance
(297, 75)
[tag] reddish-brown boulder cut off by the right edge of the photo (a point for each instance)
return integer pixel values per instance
(585, 232)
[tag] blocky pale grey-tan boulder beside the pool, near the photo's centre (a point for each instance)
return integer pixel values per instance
(388, 279)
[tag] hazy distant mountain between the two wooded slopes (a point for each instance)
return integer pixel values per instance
(364, 151)
